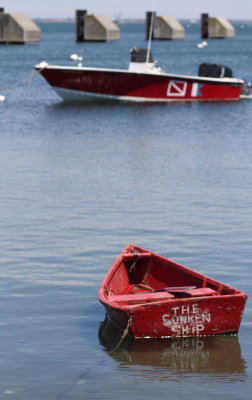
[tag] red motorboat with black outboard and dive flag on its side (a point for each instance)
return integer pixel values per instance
(142, 82)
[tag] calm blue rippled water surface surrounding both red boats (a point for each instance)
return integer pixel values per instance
(79, 182)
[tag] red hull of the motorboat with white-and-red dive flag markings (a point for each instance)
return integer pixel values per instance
(79, 82)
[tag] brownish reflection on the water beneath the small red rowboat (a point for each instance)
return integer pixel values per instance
(215, 357)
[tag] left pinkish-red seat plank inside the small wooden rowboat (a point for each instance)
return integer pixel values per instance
(141, 297)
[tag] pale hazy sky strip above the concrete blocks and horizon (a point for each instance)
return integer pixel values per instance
(238, 9)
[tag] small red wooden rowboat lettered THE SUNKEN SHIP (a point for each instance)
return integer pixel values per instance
(150, 296)
